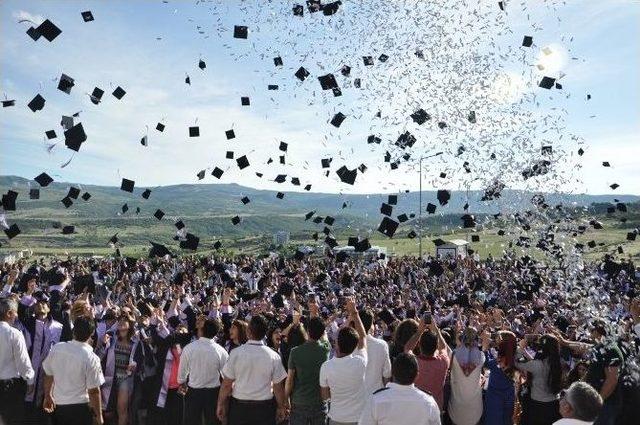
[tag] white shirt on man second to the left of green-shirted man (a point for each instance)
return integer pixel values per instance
(201, 361)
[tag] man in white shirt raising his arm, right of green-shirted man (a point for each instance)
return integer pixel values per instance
(342, 377)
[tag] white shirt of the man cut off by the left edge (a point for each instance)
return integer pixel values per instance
(14, 357)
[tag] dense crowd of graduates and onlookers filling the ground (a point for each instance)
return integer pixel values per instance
(245, 340)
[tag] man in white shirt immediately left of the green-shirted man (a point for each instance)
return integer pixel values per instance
(253, 376)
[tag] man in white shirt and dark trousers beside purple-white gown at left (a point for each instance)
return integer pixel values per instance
(73, 379)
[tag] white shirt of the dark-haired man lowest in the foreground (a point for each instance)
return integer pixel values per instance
(400, 405)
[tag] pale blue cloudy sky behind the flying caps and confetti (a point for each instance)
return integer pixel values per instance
(149, 47)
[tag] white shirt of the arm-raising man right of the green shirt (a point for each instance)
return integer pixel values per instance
(345, 378)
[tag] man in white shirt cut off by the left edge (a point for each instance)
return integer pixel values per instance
(15, 365)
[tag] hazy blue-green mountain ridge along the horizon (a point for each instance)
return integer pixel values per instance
(211, 200)
